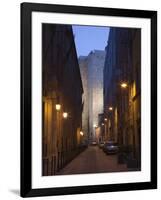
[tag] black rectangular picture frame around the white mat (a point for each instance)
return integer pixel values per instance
(26, 89)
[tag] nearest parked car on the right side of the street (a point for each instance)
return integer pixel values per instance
(110, 147)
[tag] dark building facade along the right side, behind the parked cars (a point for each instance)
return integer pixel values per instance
(122, 89)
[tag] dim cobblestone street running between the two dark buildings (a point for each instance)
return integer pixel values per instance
(93, 160)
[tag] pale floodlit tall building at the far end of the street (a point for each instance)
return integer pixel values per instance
(91, 68)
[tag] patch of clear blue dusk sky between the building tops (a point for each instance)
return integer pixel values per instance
(88, 38)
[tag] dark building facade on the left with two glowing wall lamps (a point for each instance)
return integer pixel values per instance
(62, 97)
